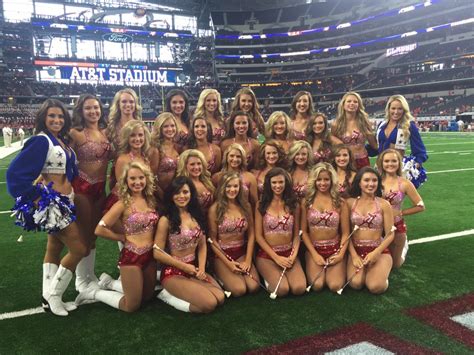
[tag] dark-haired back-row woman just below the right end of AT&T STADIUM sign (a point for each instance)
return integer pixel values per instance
(177, 103)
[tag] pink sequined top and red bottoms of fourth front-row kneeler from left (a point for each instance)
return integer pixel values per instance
(282, 225)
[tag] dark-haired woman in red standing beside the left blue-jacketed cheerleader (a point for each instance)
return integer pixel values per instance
(93, 153)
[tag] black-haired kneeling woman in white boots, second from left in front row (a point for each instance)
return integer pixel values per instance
(182, 230)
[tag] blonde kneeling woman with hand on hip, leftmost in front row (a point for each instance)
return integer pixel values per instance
(136, 210)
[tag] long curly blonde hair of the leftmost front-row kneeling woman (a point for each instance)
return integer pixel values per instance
(124, 191)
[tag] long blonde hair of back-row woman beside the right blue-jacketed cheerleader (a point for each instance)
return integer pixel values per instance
(362, 118)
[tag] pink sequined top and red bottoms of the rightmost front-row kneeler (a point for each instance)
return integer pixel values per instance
(371, 221)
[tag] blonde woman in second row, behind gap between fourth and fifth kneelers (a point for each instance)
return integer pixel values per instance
(301, 162)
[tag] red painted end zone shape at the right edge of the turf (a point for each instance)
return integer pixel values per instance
(438, 315)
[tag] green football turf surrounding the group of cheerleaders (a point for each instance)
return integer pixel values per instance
(434, 271)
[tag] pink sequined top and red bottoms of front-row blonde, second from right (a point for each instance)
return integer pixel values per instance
(327, 220)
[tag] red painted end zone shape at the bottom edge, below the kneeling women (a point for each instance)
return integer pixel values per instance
(342, 337)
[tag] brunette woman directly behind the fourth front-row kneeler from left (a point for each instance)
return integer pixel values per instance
(271, 155)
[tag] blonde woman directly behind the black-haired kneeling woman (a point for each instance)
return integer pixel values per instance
(192, 164)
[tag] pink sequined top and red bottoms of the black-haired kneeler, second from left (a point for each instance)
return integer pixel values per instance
(177, 241)
